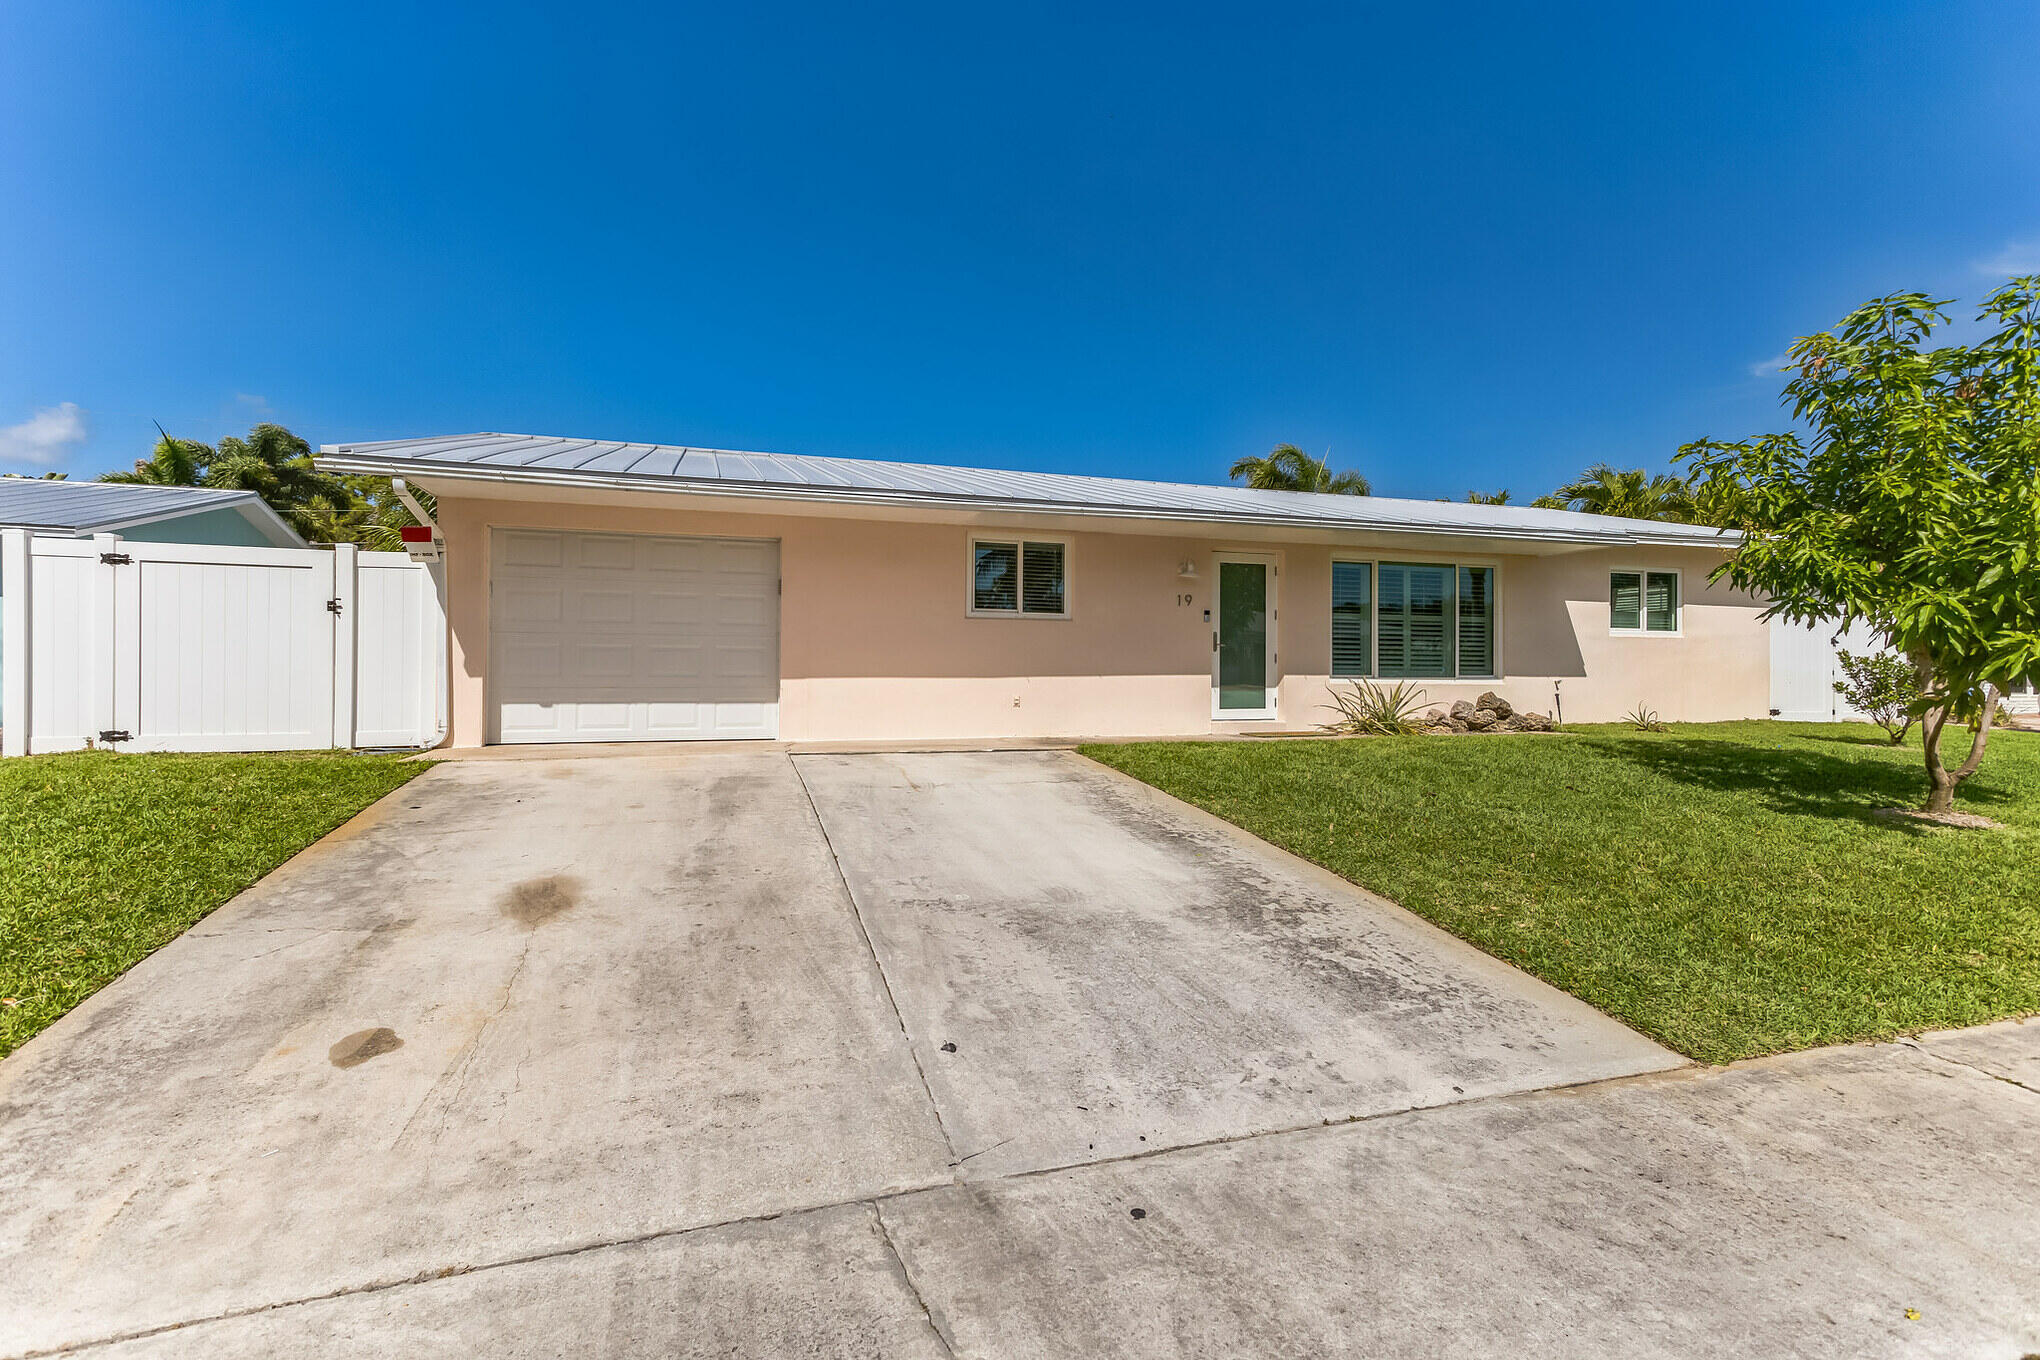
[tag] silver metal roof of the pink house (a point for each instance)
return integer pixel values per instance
(793, 476)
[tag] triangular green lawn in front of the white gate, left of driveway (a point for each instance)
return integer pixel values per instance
(107, 857)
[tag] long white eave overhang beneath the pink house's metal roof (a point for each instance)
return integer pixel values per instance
(982, 505)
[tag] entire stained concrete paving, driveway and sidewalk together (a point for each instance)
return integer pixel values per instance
(925, 1055)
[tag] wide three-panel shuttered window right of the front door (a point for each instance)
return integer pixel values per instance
(1413, 621)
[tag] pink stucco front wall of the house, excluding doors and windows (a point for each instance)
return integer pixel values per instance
(876, 641)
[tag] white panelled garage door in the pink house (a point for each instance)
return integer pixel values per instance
(633, 639)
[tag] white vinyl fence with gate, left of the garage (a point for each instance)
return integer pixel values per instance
(203, 647)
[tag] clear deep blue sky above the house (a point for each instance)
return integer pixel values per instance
(1480, 248)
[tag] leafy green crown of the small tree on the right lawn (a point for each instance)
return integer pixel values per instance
(1915, 499)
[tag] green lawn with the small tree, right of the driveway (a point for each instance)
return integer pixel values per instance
(1721, 888)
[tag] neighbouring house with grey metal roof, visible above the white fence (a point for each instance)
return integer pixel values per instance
(142, 513)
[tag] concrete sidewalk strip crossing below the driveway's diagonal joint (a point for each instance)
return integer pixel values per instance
(1849, 1202)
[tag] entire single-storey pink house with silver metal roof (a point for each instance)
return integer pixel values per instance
(644, 592)
